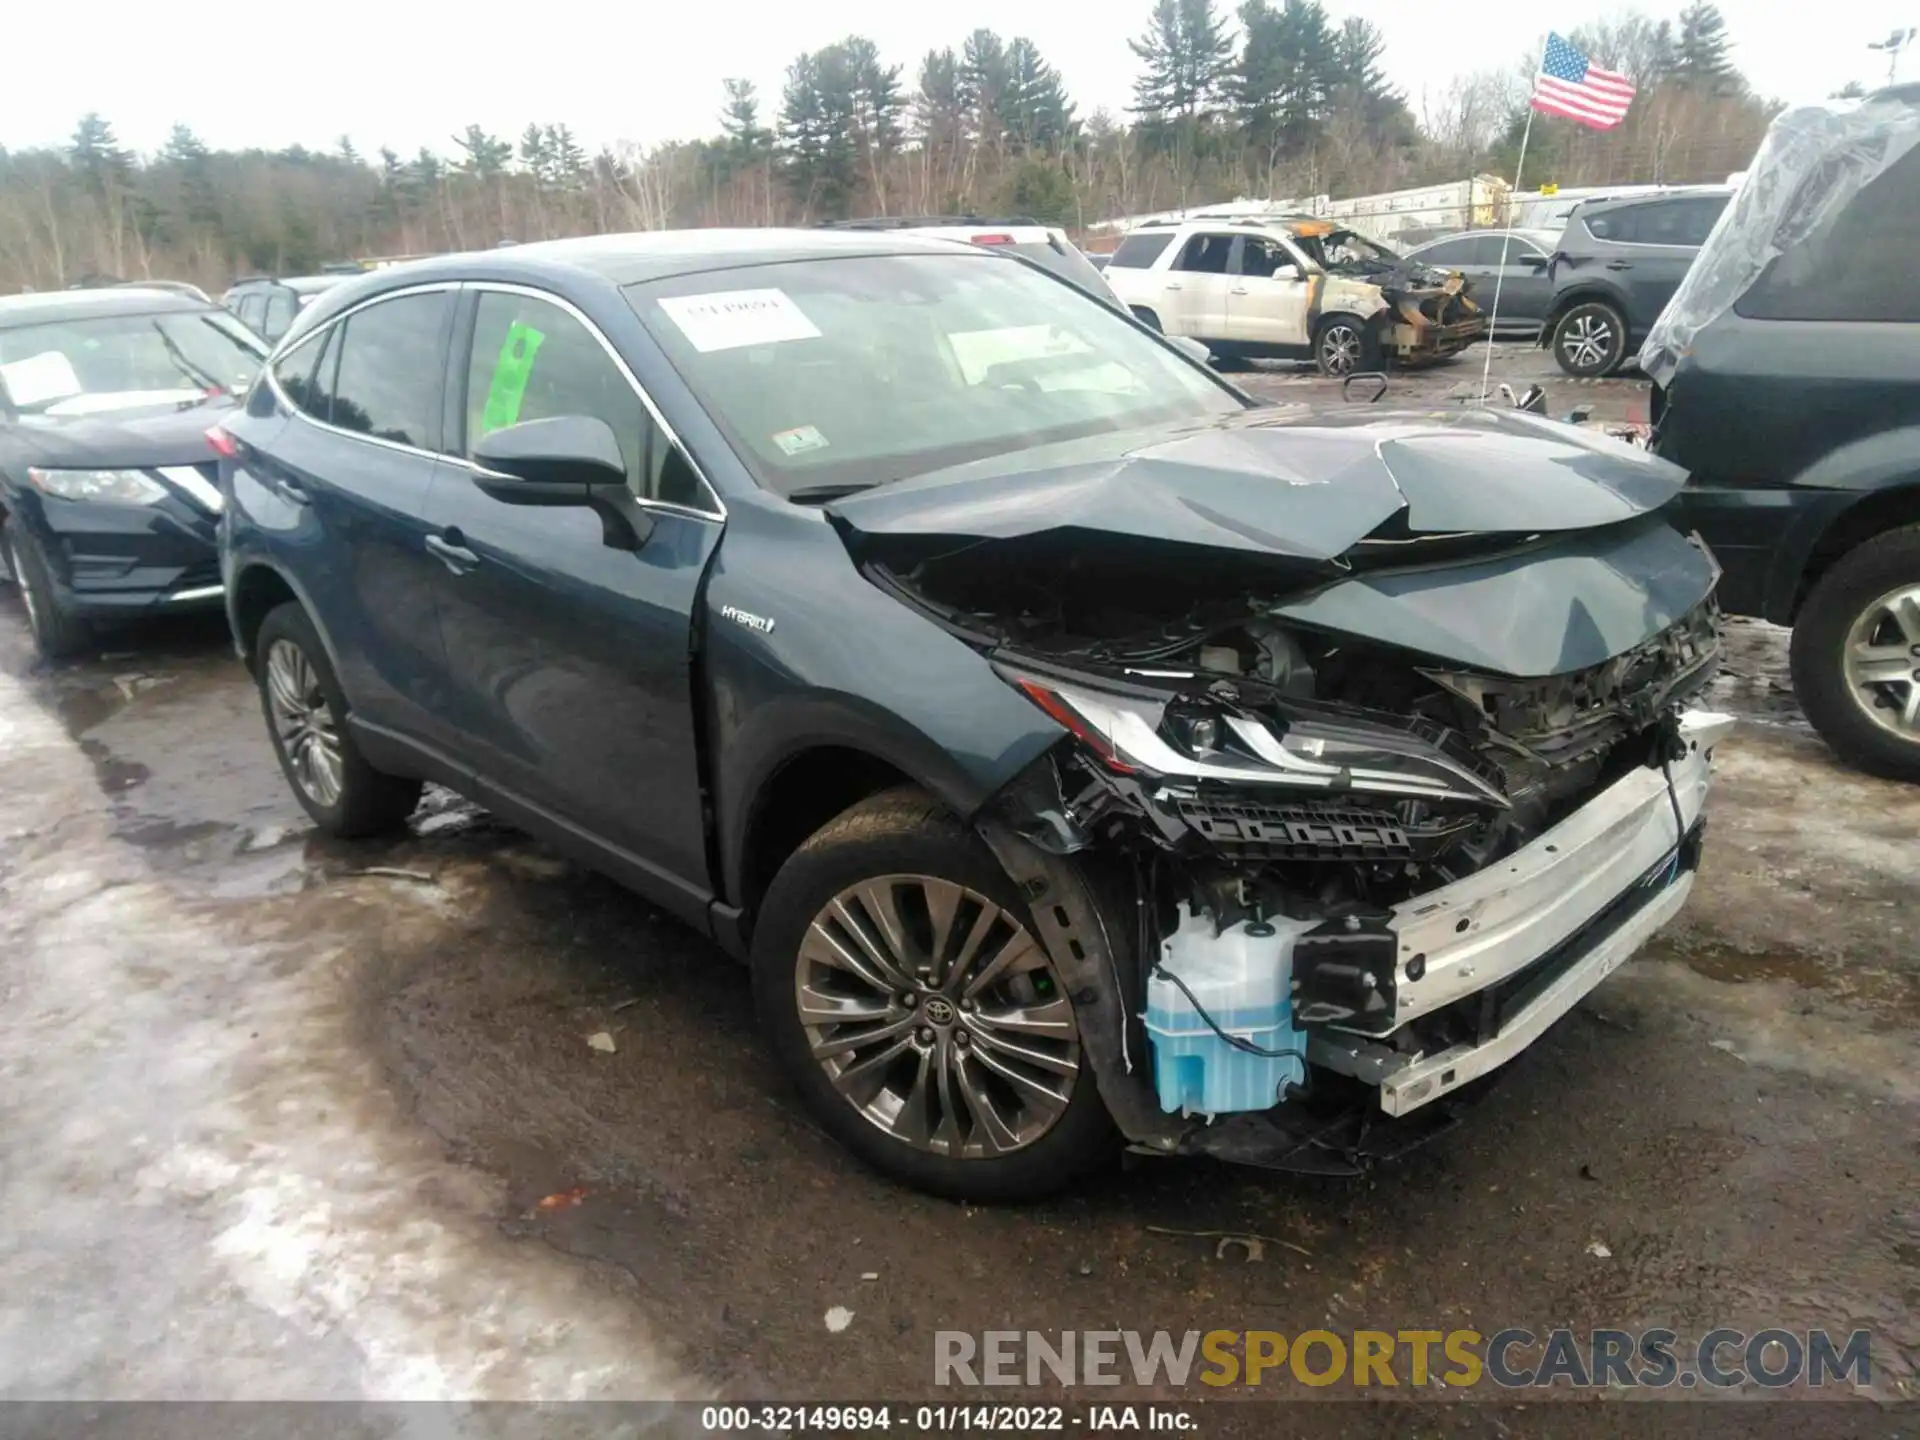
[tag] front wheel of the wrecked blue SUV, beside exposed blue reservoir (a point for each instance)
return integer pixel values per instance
(903, 992)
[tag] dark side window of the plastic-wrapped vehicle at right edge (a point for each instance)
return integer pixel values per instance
(1858, 266)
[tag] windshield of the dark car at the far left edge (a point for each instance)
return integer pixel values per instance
(124, 362)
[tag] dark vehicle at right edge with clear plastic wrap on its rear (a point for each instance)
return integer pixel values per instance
(1788, 381)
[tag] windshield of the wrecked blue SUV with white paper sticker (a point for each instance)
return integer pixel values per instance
(836, 375)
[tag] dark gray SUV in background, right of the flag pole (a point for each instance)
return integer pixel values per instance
(1618, 266)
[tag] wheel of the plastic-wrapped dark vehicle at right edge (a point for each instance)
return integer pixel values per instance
(1856, 656)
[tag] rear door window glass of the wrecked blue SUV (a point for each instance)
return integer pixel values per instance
(387, 381)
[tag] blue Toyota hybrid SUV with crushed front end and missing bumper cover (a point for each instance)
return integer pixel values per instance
(1076, 752)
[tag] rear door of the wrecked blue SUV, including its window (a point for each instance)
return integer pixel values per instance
(345, 489)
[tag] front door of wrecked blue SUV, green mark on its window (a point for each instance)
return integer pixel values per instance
(571, 658)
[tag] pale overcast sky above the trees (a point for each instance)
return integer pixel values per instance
(410, 74)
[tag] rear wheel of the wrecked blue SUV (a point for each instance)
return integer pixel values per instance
(306, 721)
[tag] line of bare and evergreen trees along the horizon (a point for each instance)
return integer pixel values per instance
(1272, 99)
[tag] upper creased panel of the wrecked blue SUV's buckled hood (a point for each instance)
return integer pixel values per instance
(1293, 487)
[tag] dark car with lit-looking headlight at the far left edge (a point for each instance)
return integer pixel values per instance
(108, 492)
